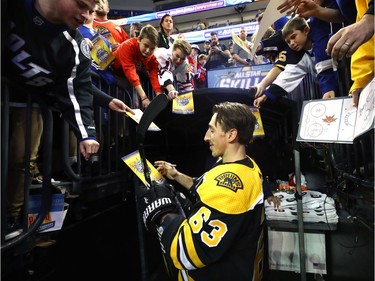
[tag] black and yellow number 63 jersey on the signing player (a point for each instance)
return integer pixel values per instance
(222, 237)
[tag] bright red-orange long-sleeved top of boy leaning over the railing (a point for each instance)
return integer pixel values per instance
(129, 59)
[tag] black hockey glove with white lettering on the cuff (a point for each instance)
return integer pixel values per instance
(154, 202)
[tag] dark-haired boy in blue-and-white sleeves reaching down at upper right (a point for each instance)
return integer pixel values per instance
(307, 47)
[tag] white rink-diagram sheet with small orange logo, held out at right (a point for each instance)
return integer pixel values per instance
(337, 120)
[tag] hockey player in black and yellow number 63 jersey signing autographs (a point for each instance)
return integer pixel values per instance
(221, 237)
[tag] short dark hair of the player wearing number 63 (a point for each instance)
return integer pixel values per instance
(234, 115)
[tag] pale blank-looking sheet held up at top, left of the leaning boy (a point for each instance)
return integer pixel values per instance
(270, 15)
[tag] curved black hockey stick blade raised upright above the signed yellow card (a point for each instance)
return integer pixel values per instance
(154, 108)
